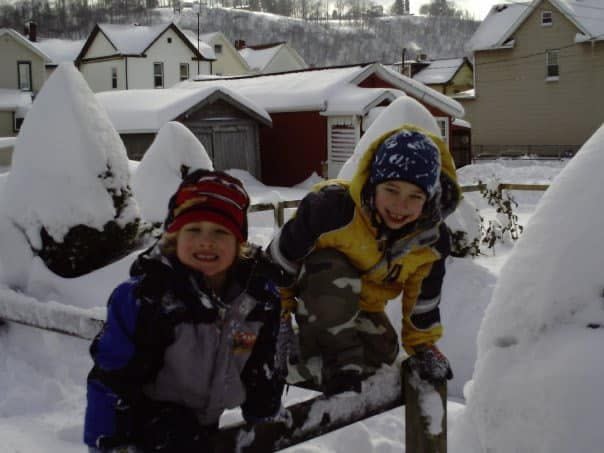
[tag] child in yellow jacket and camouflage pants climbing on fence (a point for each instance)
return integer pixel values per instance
(356, 245)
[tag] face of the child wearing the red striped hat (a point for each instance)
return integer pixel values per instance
(206, 247)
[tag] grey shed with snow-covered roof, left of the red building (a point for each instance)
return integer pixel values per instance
(225, 123)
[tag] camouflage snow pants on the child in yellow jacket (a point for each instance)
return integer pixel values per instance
(334, 334)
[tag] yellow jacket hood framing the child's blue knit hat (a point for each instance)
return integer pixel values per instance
(449, 192)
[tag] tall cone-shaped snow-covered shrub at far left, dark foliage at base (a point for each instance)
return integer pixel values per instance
(67, 190)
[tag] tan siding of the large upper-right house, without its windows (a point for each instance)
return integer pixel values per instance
(516, 105)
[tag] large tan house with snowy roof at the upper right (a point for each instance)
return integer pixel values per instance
(539, 78)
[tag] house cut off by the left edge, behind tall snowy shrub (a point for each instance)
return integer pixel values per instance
(22, 75)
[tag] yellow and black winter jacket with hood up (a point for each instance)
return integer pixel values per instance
(333, 216)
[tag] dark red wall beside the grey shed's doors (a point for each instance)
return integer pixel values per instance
(293, 148)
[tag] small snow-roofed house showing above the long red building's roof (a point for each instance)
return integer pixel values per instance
(271, 58)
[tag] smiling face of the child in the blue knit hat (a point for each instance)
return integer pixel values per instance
(399, 203)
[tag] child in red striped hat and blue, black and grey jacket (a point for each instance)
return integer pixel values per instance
(193, 331)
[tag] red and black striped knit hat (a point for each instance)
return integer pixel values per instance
(212, 196)
